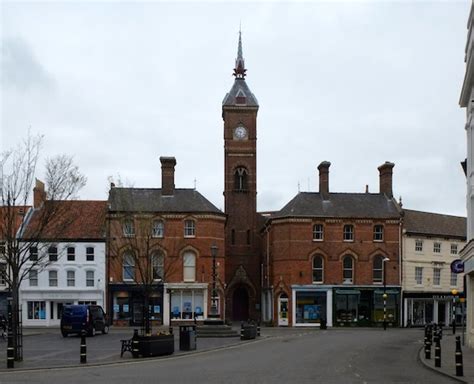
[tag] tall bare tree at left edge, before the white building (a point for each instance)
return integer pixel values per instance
(23, 230)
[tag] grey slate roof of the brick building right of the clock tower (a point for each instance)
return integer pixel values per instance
(342, 205)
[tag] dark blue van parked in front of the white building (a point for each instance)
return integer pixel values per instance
(91, 318)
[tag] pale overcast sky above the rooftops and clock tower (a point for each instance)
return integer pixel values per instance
(117, 85)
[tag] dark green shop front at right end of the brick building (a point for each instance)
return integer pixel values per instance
(366, 306)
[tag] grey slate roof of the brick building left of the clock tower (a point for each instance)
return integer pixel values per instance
(151, 200)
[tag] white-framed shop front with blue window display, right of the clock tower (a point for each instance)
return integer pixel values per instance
(310, 306)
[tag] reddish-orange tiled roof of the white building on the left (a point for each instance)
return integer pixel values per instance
(68, 219)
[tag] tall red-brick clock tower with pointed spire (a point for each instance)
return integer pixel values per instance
(239, 111)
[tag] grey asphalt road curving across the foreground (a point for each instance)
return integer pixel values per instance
(294, 356)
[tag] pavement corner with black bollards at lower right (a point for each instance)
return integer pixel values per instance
(448, 364)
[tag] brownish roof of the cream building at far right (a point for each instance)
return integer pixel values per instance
(427, 223)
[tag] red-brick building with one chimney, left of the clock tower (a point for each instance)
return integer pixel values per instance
(159, 241)
